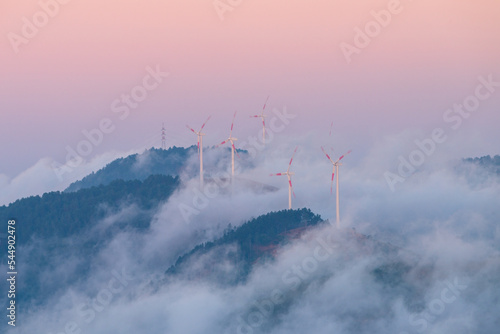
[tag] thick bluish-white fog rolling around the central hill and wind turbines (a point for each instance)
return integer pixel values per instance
(423, 259)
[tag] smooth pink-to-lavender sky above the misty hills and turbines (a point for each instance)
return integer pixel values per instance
(64, 79)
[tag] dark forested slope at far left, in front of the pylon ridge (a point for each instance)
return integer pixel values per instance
(58, 226)
